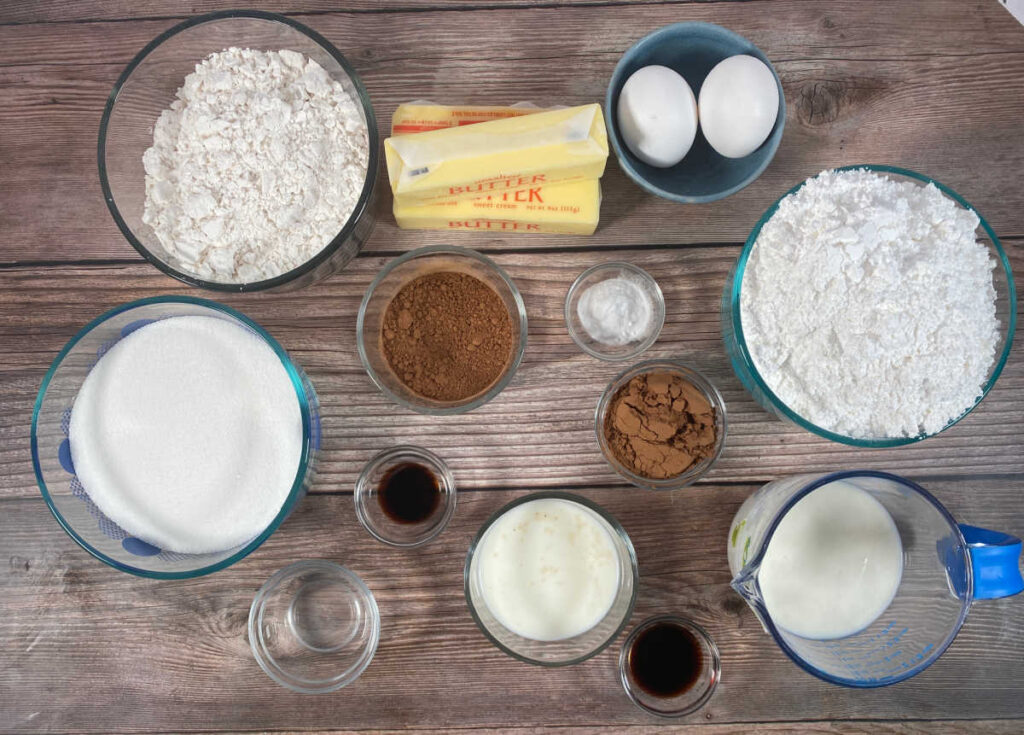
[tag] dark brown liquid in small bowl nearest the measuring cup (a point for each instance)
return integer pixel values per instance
(666, 661)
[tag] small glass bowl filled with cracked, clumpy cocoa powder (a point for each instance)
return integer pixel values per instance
(661, 425)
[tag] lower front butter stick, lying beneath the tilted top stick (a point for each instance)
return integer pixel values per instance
(564, 209)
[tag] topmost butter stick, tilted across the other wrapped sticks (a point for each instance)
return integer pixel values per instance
(559, 146)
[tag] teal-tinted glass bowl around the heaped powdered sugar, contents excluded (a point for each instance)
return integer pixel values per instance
(735, 289)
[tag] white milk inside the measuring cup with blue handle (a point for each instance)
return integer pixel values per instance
(833, 566)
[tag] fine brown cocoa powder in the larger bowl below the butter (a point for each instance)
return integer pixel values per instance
(448, 336)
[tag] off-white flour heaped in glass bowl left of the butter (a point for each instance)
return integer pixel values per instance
(255, 167)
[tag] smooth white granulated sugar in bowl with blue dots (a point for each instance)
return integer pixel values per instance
(188, 435)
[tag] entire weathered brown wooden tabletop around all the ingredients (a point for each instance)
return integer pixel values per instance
(936, 87)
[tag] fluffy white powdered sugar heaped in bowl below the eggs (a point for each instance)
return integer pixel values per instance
(869, 307)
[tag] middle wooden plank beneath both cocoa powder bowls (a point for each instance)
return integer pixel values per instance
(540, 430)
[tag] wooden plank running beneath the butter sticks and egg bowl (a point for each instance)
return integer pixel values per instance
(934, 87)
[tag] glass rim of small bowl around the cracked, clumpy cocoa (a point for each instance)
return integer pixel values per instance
(707, 387)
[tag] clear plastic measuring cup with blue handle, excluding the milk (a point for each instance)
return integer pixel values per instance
(946, 568)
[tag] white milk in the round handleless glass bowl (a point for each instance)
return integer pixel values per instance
(548, 570)
